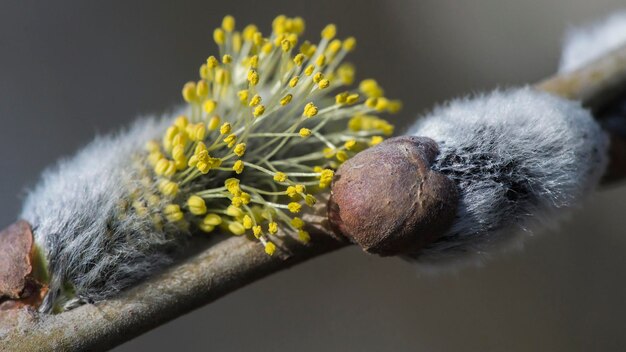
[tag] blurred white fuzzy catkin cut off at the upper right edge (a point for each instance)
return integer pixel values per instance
(584, 44)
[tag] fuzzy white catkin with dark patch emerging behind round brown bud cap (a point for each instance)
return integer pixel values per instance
(519, 158)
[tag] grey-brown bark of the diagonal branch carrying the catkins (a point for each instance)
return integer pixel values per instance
(231, 263)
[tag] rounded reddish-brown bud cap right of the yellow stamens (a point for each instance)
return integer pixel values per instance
(389, 201)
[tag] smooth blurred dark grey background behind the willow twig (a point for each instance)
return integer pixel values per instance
(71, 69)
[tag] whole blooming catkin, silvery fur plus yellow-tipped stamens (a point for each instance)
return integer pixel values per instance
(263, 129)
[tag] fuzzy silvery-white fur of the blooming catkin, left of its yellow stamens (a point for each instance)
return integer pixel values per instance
(71, 211)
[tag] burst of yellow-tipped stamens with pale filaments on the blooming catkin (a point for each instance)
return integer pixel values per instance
(263, 132)
